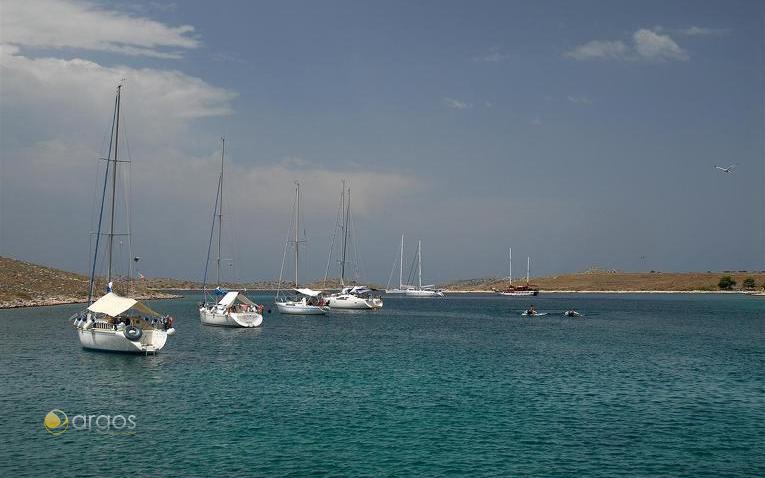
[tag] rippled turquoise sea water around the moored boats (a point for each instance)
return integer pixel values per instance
(646, 385)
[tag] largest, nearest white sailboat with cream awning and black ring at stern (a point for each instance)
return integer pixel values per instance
(115, 323)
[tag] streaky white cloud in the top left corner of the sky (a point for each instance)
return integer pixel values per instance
(88, 26)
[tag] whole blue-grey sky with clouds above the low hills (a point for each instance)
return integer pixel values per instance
(583, 134)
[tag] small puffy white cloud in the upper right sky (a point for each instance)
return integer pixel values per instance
(647, 45)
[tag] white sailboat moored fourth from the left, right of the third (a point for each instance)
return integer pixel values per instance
(349, 297)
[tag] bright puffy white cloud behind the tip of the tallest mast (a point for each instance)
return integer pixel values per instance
(155, 95)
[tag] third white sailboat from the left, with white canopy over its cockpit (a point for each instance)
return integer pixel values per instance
(304, 301)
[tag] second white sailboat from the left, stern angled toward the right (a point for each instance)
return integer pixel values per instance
(234, 309)
